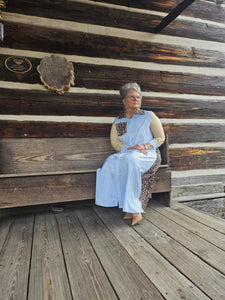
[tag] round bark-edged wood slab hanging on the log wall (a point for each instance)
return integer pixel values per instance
(56, 73)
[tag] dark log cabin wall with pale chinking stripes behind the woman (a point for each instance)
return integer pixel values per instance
(180, 70)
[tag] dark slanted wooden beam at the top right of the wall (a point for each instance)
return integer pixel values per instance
(172, 15)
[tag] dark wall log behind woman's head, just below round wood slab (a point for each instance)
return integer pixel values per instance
(35, 102)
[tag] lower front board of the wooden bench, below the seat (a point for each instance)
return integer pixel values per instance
(35, 190)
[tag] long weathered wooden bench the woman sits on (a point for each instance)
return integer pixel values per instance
(53, 170)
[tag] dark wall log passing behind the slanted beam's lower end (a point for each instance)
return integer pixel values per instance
(112, 17)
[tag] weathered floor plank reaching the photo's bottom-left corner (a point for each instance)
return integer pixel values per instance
(14, 262)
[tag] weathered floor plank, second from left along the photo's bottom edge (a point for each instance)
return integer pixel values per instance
(48, 277)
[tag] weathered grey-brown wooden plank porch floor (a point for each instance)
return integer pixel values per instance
(89, 252)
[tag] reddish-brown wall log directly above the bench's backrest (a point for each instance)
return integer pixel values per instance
(178, 133)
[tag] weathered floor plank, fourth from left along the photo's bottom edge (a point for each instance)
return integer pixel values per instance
(128, 281)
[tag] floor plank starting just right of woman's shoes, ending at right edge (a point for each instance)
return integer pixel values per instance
(208, 252)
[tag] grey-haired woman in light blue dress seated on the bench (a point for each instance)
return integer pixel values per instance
(136, 137)
